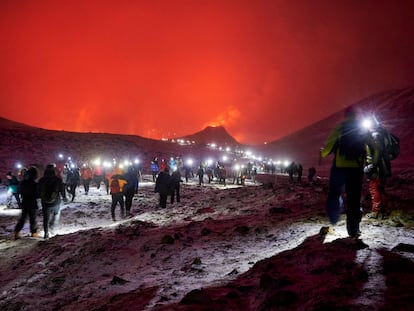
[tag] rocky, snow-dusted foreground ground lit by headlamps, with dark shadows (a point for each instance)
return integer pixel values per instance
(257, 247)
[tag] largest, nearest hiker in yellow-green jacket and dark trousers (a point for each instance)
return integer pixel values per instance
(348, 142)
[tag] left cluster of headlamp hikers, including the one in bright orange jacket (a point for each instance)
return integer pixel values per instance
(59, 184)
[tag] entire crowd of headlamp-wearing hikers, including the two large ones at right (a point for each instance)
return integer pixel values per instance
(60, 182)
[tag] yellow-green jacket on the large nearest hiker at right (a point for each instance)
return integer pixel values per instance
(331, 146)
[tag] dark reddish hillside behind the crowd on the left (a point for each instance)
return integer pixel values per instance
(31, 145)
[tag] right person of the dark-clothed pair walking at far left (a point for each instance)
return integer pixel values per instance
(51, 190)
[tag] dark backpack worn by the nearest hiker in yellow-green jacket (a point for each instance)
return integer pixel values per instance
(352, 141)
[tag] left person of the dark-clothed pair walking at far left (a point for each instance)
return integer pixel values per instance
(29, 192)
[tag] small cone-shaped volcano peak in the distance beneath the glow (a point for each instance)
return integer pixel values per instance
(213, 134)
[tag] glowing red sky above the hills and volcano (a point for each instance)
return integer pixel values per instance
(159, 68)
